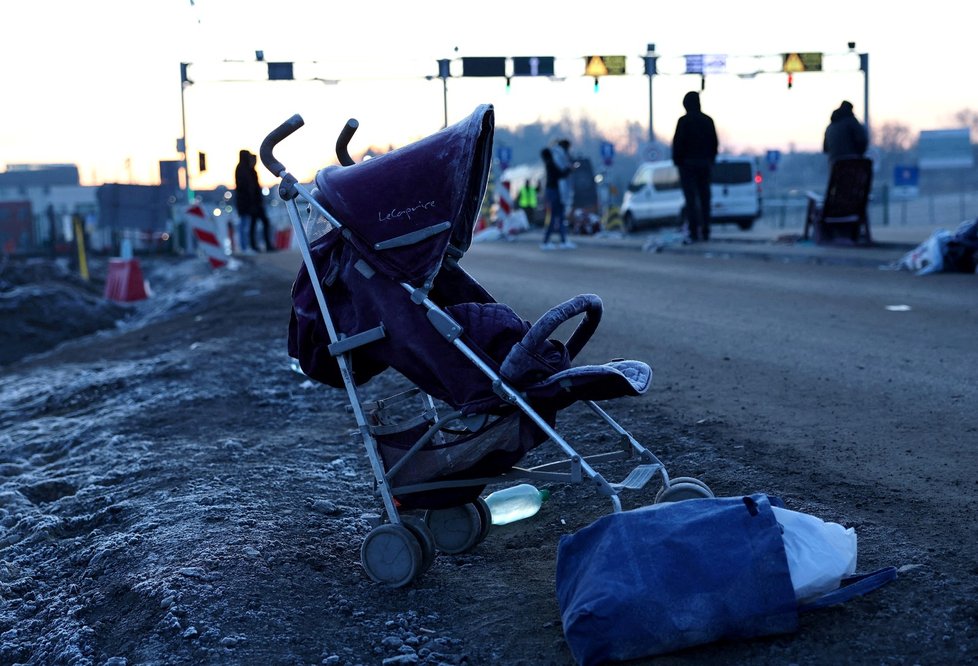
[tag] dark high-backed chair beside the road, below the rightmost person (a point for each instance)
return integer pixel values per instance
(841, 213)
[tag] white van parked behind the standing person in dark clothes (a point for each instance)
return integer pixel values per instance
(655, 197)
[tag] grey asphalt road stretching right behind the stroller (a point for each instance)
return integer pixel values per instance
(868, 374)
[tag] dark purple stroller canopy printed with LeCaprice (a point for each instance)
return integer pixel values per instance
(404, 208)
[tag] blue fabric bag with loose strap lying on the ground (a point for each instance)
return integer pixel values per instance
(665, 577)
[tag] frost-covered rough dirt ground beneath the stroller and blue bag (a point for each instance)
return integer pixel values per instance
(173, 492)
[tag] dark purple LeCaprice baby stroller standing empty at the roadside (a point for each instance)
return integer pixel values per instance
(381, 287)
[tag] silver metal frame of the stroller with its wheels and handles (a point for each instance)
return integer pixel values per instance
(417, 539)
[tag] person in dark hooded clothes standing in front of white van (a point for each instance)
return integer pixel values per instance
(694, 151)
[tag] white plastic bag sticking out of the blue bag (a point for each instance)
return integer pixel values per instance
(820, 554)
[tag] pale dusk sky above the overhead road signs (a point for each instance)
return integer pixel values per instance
(97, 83)
